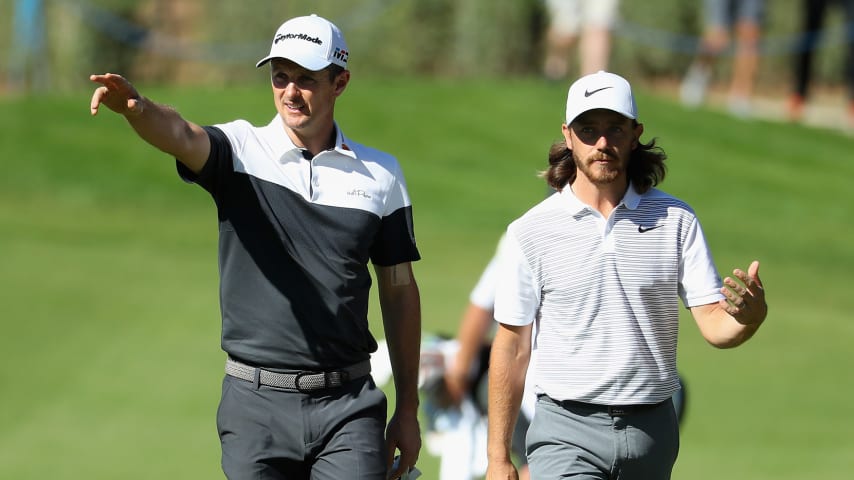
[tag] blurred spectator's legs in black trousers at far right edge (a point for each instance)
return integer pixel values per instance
(813, 15)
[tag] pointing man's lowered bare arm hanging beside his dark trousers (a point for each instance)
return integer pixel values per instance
(401, 310)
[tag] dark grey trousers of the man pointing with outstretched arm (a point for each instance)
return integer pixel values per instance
(270, 434)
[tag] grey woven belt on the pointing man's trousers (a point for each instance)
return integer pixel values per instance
(300, 381)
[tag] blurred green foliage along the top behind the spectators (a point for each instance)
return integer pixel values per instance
(215, 42)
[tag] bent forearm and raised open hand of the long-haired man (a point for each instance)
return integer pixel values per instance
(732, 321)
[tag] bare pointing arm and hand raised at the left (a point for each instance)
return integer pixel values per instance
(157, 124)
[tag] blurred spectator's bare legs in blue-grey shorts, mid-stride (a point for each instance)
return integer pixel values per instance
(722, 18)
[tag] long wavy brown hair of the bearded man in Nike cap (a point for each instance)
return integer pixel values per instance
(646, 166)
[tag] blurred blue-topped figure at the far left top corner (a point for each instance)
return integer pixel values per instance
(26, 62)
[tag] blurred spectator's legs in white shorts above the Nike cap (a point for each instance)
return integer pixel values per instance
(587, 21)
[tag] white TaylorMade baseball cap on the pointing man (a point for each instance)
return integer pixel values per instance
(311, 41)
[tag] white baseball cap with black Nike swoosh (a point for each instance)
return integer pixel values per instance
(600, 90)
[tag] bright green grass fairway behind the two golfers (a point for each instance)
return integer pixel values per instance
(108, 289)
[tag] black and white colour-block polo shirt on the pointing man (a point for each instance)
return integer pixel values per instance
(295, 238)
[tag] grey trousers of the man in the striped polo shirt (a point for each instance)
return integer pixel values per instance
(586, 442)
